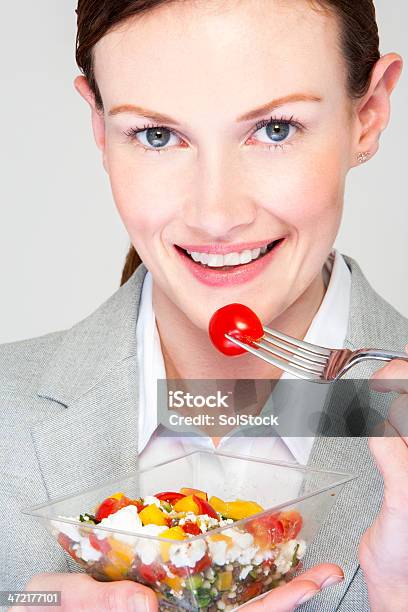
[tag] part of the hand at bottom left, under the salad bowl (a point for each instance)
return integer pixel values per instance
(82, 593)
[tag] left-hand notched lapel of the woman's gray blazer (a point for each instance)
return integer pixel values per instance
(93, 376)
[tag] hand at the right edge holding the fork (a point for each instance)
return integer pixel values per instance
(383, 549)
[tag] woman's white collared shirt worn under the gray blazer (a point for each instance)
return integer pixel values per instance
(328, 328)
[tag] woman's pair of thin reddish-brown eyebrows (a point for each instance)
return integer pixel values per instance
(253, 114)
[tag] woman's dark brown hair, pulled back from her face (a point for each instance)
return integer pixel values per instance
(359, 42)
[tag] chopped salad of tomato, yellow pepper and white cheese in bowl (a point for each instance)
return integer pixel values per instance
(199, 553)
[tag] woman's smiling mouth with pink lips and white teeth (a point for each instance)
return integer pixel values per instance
(216, 268)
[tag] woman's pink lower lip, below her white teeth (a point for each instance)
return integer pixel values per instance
(214, 277)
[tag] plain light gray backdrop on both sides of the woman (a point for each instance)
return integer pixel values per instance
(62, 243)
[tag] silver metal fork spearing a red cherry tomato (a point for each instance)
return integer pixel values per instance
(310, 361)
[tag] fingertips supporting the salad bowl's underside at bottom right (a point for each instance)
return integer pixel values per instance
(302, 588)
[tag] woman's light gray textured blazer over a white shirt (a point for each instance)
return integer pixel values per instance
(69, 411)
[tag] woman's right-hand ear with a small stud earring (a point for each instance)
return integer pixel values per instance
(373, 110)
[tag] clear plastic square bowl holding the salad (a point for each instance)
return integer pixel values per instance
(217, 570)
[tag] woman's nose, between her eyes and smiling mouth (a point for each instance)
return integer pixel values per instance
(218, 203)
